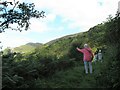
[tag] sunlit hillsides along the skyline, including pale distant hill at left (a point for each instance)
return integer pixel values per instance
(61, 46)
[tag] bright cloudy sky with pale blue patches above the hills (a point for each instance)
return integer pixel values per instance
(63, 17)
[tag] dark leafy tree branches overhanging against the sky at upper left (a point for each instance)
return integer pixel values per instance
(17, 13)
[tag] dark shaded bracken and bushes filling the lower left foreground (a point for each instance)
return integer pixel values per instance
(18, 73)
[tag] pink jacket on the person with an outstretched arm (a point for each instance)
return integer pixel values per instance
(87, 54)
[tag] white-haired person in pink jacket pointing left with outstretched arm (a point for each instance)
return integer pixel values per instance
(87, 52)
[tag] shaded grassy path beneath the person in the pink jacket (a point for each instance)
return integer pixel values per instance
(71, 78)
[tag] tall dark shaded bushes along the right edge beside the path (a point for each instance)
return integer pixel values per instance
(110, 75)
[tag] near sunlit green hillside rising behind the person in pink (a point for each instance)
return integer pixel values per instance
(62, 47)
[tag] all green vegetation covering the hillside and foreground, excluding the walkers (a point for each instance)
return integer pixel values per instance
(57, 64)
